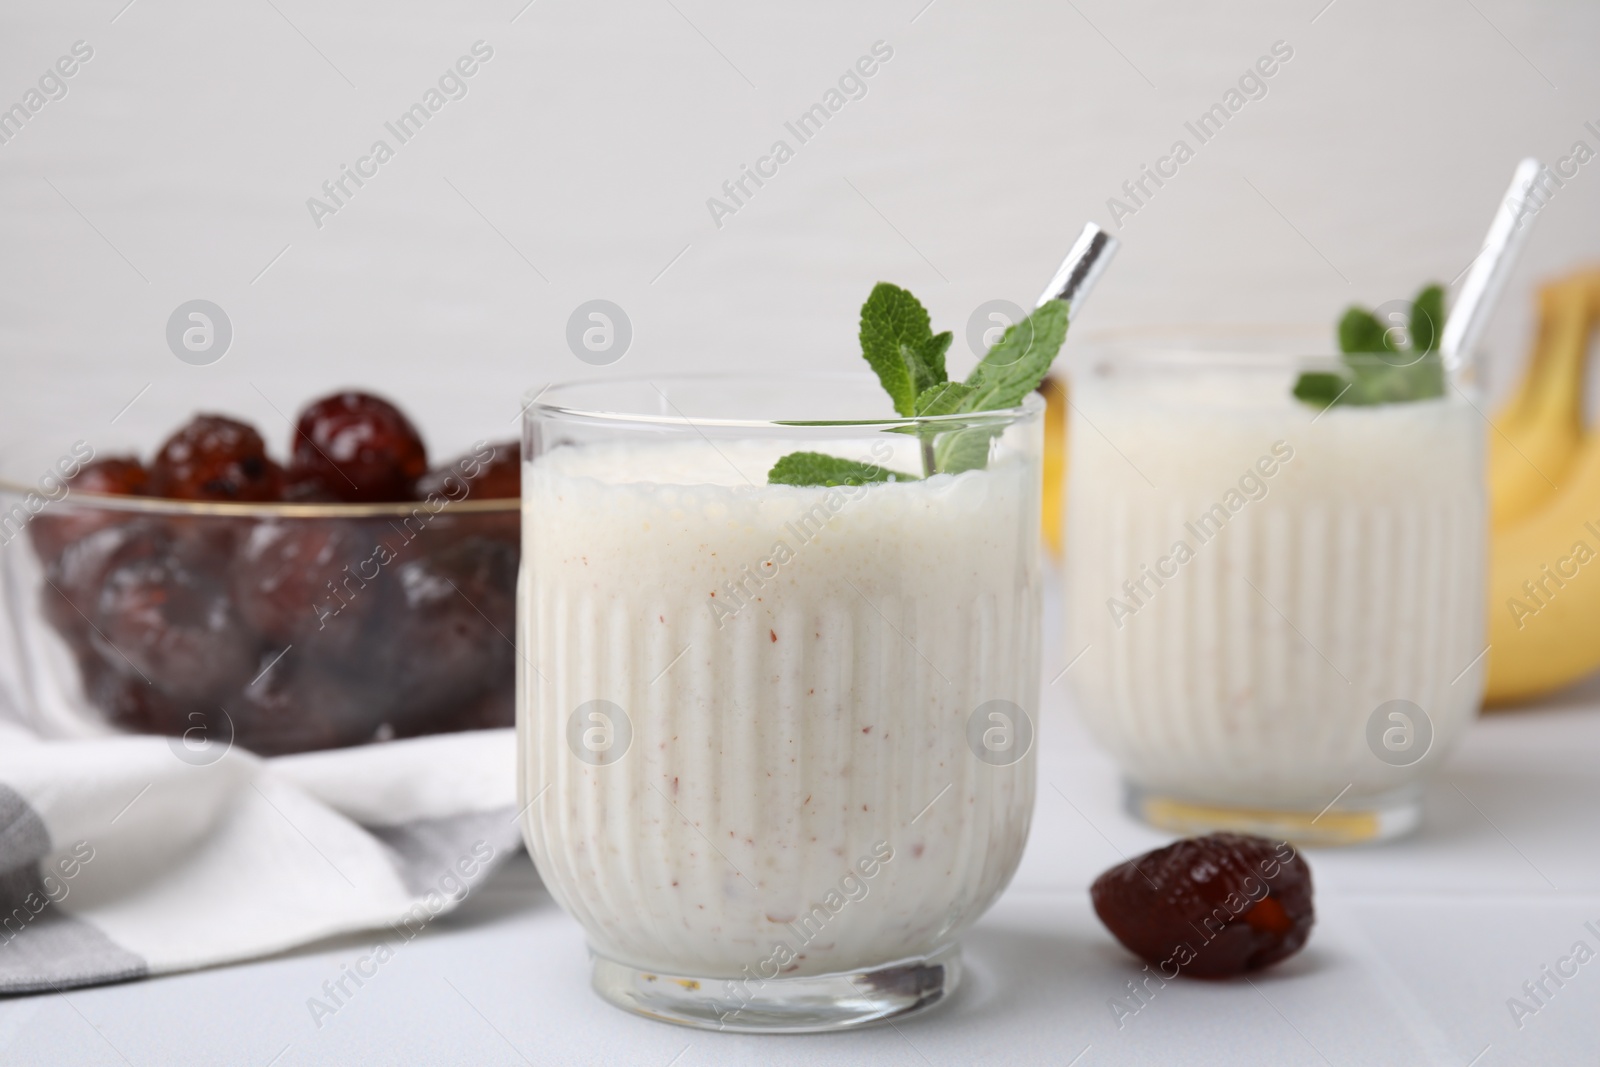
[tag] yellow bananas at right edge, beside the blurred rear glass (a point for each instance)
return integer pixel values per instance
(1545, 569)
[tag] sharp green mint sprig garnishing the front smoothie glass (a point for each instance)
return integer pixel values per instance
(898, 343)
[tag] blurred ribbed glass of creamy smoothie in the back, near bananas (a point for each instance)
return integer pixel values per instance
(1276, 610)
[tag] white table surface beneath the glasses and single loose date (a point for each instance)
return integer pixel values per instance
(1417, 949)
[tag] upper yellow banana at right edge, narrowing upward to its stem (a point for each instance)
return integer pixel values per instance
(1540, 431)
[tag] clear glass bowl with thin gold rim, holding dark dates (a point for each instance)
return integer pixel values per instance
(281, 628)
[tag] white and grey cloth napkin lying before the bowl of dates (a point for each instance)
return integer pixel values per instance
(121, 860)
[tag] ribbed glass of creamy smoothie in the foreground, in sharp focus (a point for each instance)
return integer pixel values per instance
(775, 741)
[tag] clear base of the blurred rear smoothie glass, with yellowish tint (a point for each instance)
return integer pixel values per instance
(1350, 821)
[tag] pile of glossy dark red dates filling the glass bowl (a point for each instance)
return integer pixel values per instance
(287, 629)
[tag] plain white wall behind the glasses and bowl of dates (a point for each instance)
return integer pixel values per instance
(582, 159)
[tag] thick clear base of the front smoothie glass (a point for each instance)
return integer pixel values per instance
(785, 1005)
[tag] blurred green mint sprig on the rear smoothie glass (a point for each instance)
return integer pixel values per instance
(1377, 369)
